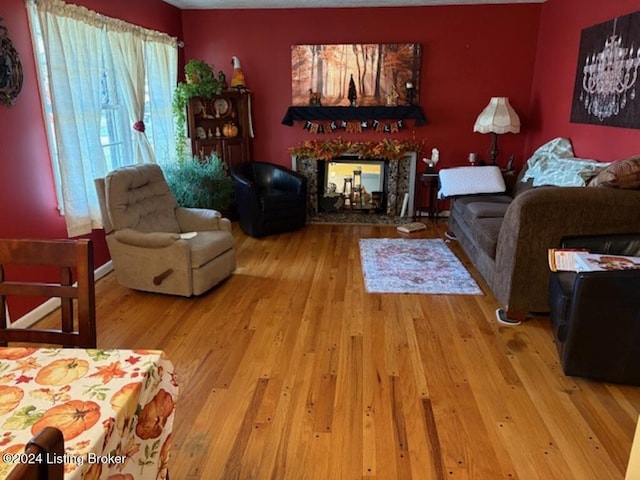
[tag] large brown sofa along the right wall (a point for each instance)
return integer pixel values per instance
(507, 235)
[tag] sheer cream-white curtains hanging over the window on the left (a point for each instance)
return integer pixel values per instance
(72, 37)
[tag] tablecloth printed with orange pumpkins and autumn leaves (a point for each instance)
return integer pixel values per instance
(115, 409)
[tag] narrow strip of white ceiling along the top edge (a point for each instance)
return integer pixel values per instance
(235, 4)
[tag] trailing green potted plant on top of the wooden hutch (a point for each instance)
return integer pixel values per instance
(200, 81)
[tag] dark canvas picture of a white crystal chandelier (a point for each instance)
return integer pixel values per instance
(605, 91)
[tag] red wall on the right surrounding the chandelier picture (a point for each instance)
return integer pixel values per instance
(555, 69)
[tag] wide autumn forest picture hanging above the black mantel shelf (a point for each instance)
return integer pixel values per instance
(378, 71)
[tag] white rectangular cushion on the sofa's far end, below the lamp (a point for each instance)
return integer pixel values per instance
(470, 180)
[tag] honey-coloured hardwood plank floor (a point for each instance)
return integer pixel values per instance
(290, 370)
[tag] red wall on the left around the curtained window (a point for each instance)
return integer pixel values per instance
(26, 191)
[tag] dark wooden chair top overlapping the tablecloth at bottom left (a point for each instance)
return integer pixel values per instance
(44, 449)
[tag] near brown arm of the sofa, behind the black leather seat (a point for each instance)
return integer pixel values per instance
(537, 220)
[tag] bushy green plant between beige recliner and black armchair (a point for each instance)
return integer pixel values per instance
(201, 182)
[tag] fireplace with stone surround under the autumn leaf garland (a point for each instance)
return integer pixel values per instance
(396, 180)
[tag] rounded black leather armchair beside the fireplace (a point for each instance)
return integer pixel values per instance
(270, 198)
